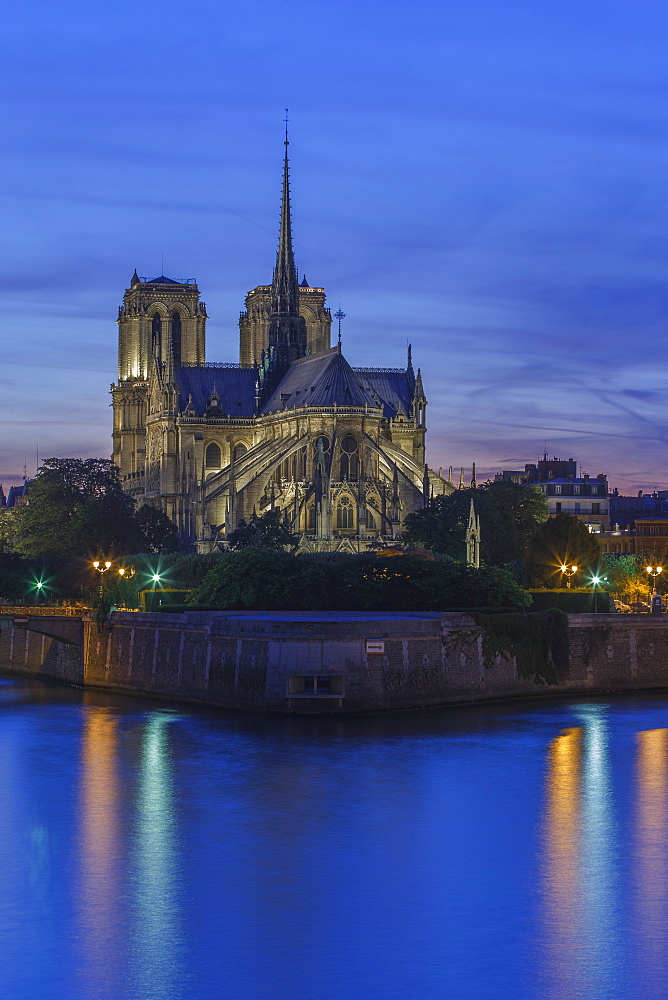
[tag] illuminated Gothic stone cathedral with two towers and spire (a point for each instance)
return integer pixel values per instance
(339, 450)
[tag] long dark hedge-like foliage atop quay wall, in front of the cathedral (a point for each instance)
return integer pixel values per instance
(261, 579)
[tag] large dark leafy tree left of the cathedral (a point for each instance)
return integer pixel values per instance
(77, 507)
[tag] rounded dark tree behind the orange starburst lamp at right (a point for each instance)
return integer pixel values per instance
(562, 539)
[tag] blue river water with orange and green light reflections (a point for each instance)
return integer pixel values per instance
(506, 851)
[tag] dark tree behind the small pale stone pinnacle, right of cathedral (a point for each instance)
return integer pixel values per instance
(508, 513)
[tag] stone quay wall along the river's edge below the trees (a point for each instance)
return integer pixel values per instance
(316, 664)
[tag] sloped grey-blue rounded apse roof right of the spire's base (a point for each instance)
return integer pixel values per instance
(323, 379)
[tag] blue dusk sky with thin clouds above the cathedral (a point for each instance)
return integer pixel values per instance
(488, 181)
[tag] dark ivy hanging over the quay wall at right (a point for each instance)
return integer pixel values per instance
(539, 643)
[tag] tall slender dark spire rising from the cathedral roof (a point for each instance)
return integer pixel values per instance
(287, 329)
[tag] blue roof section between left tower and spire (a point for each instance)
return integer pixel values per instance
(235, 388)
